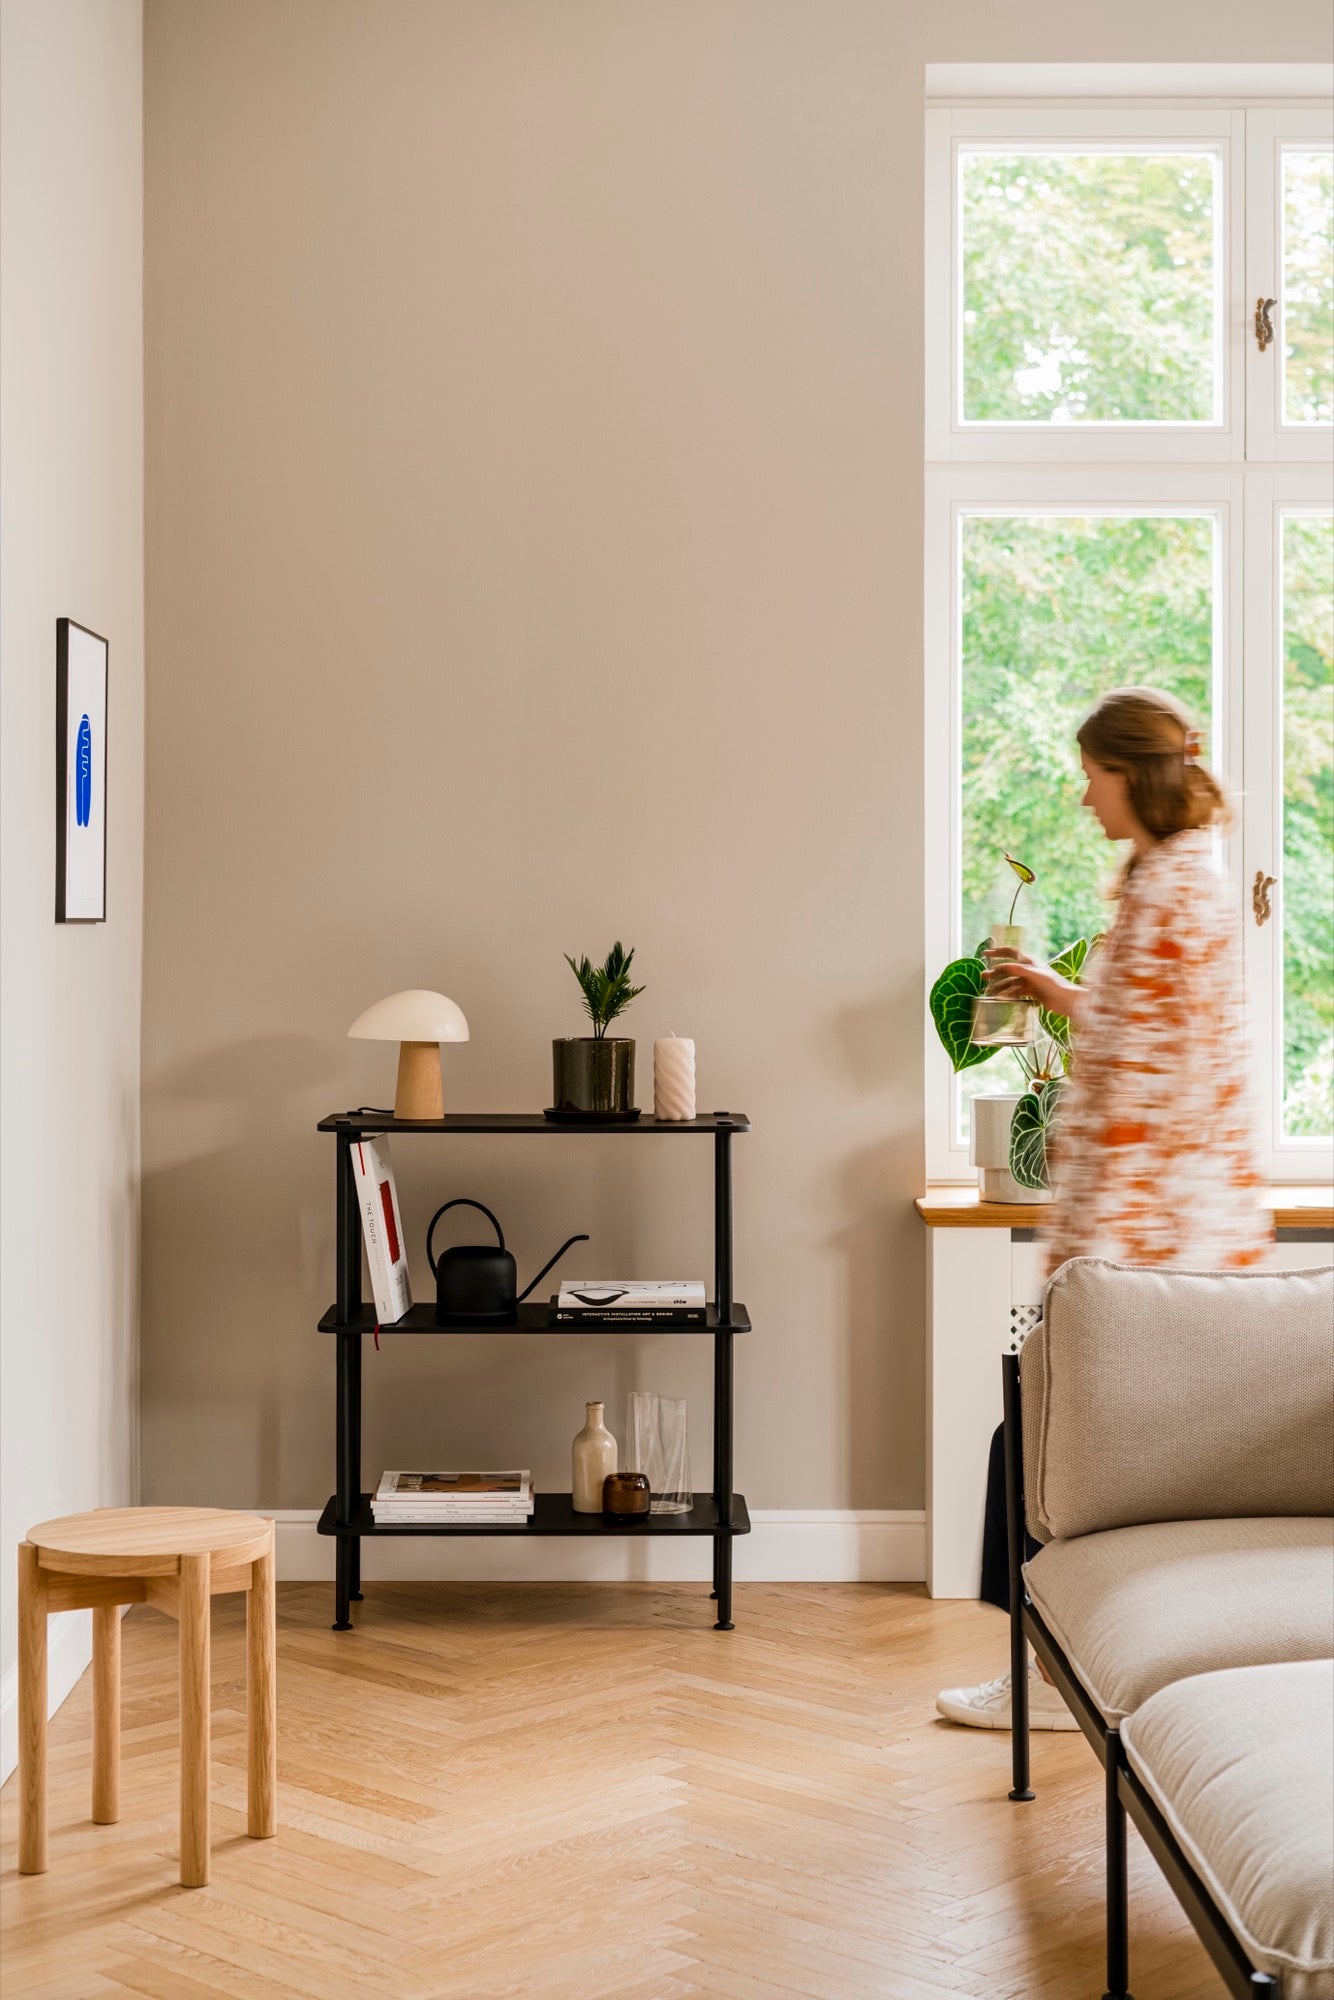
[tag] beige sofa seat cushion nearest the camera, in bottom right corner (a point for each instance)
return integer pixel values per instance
(1241, 1767)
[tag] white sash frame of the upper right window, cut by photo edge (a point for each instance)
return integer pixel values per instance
(1269, 433)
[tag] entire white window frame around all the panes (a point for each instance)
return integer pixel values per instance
(1247, 471)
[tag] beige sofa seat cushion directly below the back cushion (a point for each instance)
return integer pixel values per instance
(1137, 1609)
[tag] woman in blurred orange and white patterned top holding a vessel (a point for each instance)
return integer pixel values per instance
(1155, 1157)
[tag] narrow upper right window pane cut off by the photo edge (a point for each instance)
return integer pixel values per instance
(1309, 287)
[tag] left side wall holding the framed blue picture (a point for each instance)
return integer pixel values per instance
(73, 511)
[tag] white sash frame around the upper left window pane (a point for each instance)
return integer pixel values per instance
(951, 133)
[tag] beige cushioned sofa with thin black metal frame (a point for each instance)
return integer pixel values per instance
(1171, 1449)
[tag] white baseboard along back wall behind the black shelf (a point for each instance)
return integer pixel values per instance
(827, 1547)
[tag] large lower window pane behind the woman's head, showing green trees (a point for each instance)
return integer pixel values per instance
(1055, 613)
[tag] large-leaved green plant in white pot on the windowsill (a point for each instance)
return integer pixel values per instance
(1045, 1061)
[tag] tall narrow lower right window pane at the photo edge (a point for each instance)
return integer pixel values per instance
(1309, 825)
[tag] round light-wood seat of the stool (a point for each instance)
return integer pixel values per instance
(149, 1541)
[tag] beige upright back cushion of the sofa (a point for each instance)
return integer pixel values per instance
(1167, 1395)
